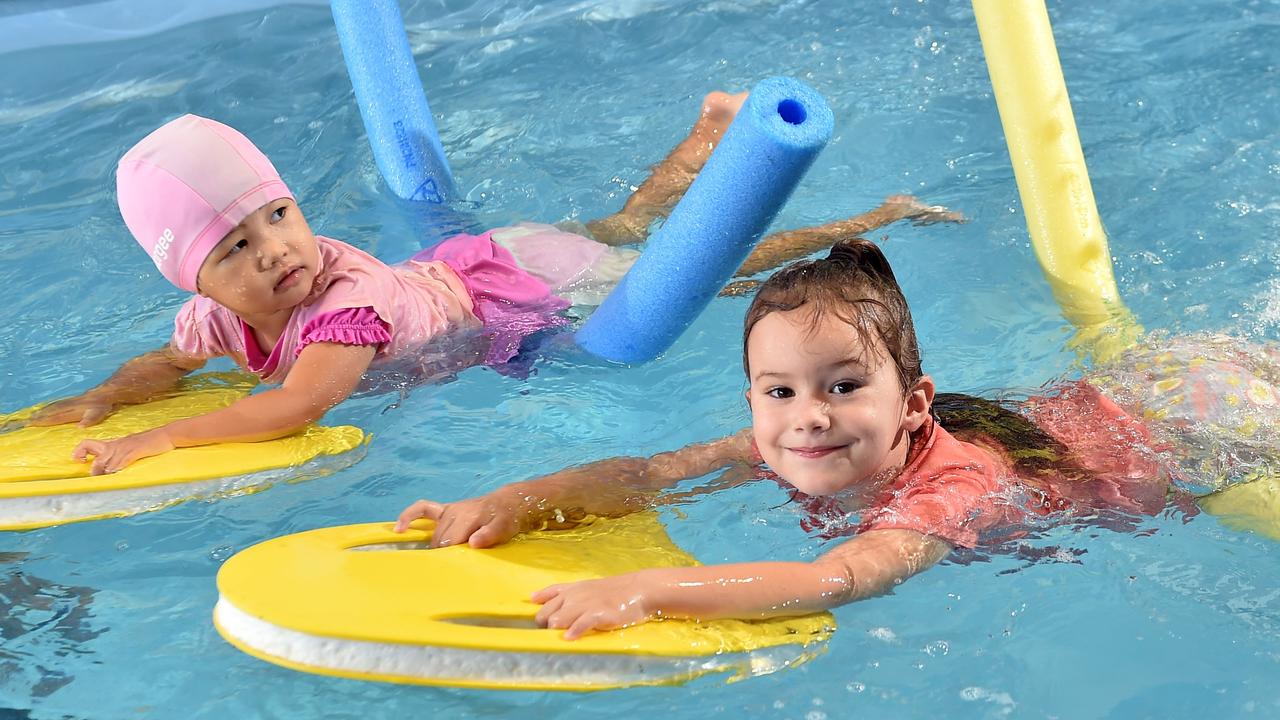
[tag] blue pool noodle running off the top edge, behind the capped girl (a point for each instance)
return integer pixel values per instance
(392, 103)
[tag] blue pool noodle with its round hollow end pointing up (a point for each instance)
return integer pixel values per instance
(765, 153)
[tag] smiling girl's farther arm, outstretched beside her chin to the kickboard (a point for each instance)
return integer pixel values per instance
(610, 489)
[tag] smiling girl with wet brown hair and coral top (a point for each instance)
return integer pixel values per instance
(847, 421)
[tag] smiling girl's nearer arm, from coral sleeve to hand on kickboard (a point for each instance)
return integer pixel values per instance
(867, 566)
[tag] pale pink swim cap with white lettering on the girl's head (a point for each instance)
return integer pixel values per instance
(185, 186)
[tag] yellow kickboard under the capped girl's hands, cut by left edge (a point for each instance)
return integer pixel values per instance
(42, 485)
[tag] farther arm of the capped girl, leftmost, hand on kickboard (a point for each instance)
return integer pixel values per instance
(138, 381)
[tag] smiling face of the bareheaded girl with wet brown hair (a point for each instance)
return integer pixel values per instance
(828, 413)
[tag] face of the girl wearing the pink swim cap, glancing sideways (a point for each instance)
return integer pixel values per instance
(267, 265)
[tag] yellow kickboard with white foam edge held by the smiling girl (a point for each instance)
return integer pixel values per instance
(367, 590)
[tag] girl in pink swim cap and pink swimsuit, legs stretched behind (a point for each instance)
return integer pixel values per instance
(316, 316)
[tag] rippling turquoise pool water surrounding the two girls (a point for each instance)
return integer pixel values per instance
(554, 111)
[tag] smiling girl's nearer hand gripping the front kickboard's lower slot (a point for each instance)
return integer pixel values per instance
(607, 604)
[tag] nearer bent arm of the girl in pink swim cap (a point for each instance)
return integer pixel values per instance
(324, 376)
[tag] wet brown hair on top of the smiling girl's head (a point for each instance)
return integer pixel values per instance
(856, 285)
